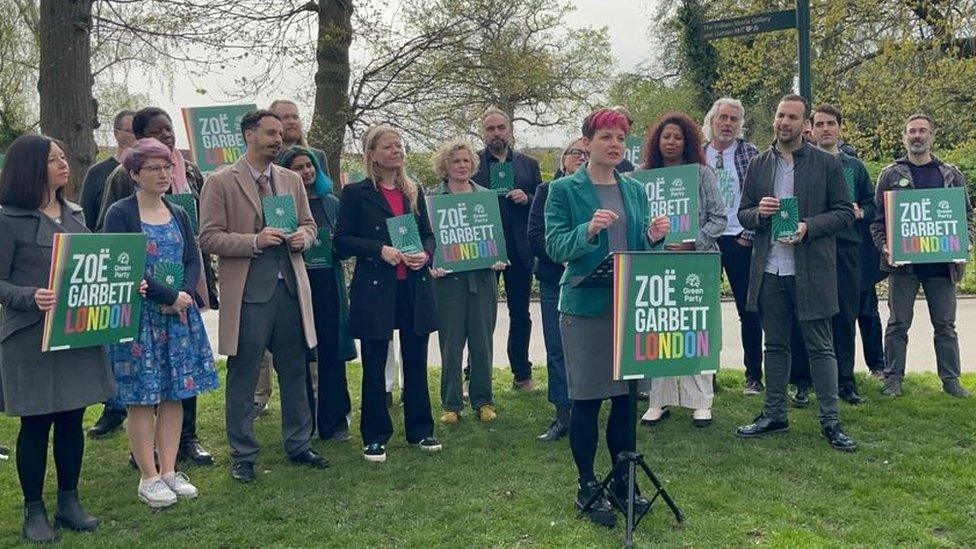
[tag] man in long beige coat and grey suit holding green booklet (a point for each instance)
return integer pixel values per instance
(266, 304)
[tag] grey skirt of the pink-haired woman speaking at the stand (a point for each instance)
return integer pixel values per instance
(588, 348)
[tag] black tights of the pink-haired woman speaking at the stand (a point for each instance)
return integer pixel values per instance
(584, 432)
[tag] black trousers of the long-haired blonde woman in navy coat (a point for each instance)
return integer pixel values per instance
(375, 423)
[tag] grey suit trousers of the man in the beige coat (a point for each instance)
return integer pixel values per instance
(276, 326)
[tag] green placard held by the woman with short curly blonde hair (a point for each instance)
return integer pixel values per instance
(468, 229)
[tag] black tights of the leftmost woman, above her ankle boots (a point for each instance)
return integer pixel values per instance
(69, 445)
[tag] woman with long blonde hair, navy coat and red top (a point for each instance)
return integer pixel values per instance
(391, 290)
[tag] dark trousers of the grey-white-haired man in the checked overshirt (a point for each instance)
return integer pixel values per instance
(736, 260)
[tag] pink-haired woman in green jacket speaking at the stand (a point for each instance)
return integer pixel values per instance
(590, 214)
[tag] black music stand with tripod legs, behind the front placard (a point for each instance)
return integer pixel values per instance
(602, 276)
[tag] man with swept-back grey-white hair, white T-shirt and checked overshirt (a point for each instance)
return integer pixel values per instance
(728, 152)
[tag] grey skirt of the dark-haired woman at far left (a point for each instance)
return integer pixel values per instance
(34, 383)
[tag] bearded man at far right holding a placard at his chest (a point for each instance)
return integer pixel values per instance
(920, 169)
